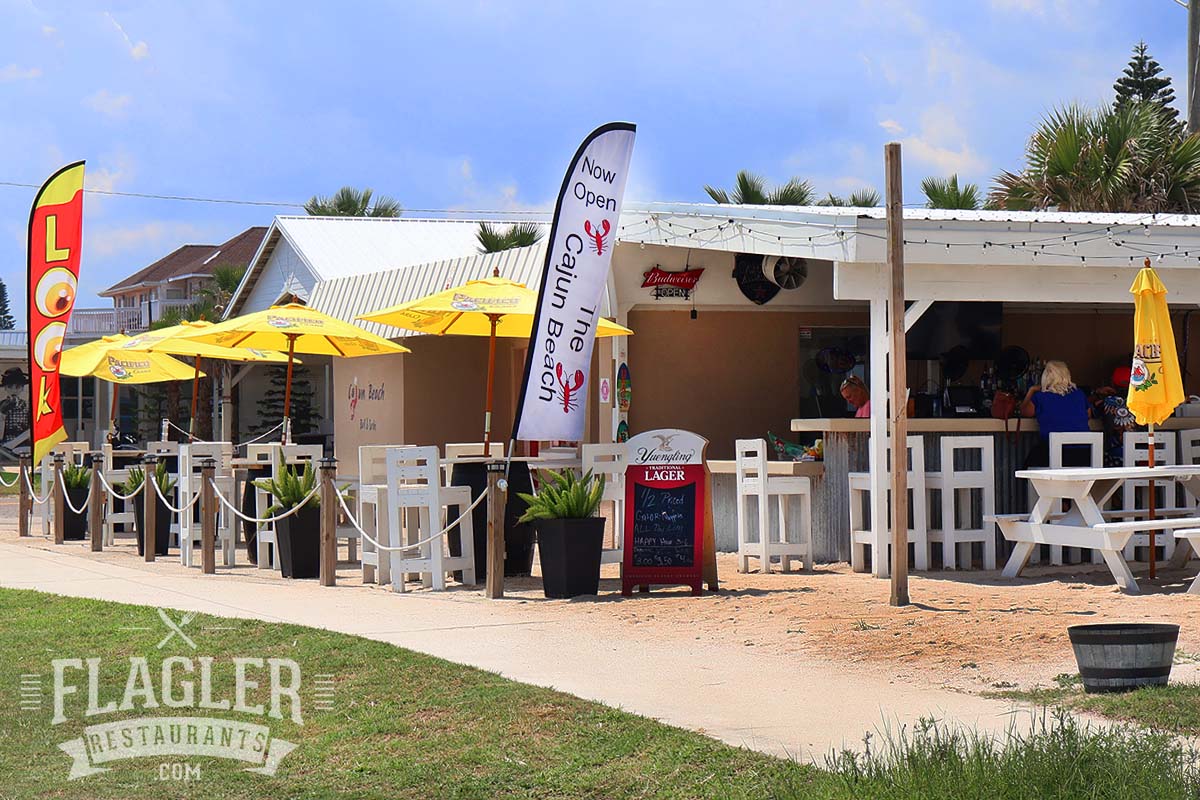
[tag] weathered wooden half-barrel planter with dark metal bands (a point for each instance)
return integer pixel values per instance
(1119, 658)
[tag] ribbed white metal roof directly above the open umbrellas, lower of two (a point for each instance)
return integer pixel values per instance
(349, 297)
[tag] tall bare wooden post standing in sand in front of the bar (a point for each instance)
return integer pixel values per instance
(899, 383)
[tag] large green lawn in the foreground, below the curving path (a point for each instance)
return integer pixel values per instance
(410, 726)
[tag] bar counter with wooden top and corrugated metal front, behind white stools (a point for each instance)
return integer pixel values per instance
(847, 452)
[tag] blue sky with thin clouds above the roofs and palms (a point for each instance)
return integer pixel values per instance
(460, 105)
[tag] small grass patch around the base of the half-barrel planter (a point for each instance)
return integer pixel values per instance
(1174, 708)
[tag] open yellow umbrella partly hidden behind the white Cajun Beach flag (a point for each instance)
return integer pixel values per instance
(494, 308)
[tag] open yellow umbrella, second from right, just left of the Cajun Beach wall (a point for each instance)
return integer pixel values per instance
(296, 329)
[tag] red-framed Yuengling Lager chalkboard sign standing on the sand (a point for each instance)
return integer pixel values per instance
(664, 510)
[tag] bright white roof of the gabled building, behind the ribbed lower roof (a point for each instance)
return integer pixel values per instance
(334, 248)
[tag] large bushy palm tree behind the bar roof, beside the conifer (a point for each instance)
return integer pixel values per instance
(1129, 159)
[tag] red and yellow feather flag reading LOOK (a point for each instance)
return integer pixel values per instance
(56, 234)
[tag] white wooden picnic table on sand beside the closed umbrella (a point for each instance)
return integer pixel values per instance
(1085, 491)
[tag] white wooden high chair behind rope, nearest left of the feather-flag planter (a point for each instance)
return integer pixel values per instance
(418, 509)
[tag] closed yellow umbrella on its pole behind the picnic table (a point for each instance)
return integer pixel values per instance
(1156, 386)
